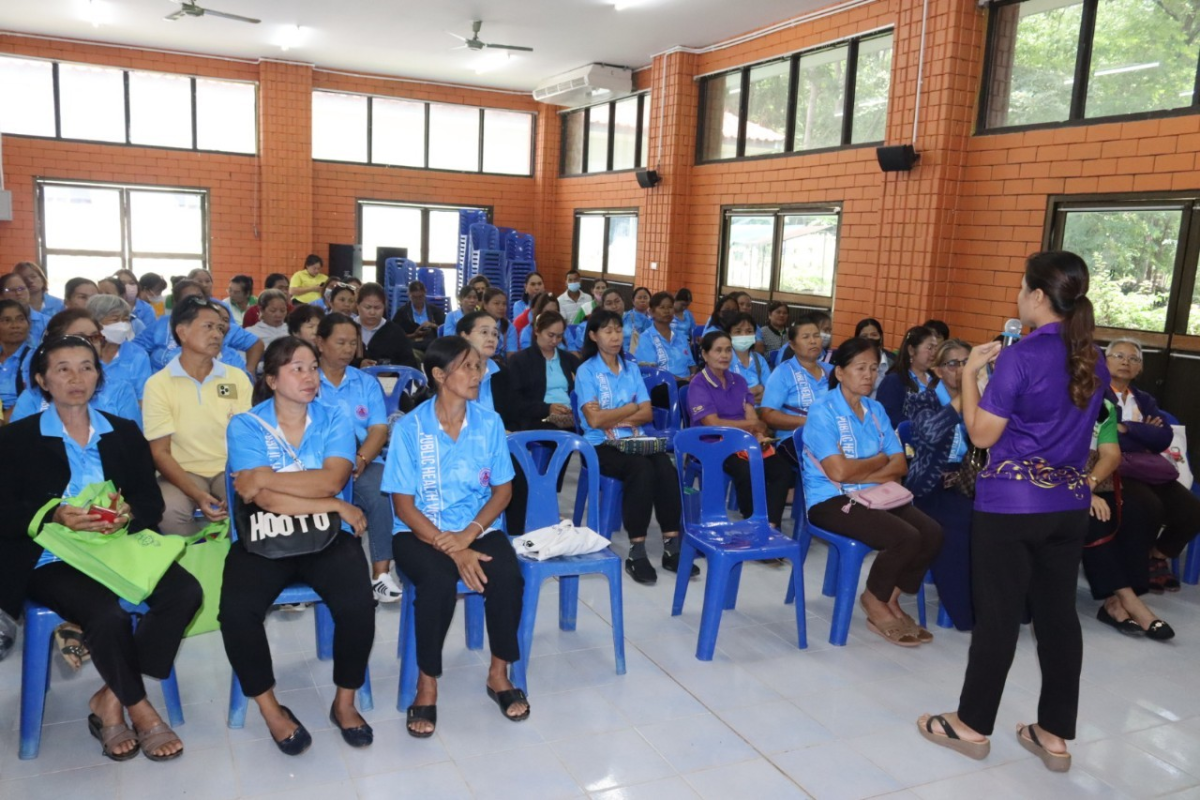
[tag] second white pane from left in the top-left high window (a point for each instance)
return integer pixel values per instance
(92, 103)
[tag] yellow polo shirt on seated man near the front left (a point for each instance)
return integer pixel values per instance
(195, 414)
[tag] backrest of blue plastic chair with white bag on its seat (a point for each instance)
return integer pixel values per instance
(543, 507)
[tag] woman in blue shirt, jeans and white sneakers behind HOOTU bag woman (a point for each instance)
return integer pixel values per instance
(361, 399)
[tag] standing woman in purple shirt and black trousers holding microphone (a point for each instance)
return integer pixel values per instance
(1031, 509)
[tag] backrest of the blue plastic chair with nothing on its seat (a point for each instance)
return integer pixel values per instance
(710, 447)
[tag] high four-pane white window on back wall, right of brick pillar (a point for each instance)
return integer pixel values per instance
(398, 133)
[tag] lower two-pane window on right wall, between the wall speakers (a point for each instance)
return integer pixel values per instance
(788, 254)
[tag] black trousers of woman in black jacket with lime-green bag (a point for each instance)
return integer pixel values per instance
(122, 655)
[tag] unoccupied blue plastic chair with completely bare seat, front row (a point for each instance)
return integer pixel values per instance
(728, 544)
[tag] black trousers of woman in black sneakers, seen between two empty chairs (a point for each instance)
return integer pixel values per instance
(647, 483)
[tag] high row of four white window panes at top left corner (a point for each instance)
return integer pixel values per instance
(89, 103)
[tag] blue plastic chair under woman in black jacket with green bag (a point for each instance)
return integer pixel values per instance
(35, 675)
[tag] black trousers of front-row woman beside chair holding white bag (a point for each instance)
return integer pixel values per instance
(436, 578)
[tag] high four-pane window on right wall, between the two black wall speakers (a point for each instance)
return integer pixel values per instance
(829, 98)
